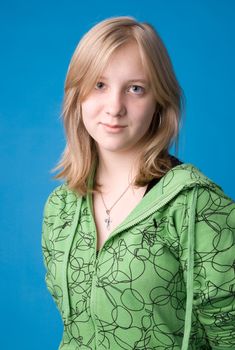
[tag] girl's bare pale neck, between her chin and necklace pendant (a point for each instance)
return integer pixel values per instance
(116, 168)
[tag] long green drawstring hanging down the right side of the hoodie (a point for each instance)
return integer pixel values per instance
(190, 269)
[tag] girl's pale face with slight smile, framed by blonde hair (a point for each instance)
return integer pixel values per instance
(118, 111)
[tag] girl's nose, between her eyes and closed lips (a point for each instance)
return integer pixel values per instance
(115, 105)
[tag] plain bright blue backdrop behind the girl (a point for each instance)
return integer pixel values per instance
(37, 41)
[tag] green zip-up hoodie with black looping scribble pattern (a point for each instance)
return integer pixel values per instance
(163, 280)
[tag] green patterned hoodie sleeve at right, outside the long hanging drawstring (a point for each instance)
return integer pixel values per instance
(214, 266)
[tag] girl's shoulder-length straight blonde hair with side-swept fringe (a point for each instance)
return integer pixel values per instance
(87, 63)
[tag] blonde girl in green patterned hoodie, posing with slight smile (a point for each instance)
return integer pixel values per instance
(139, 247)
